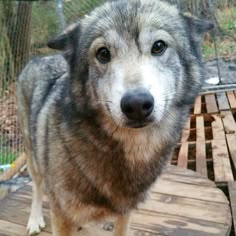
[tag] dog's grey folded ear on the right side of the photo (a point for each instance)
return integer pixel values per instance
(196, 26)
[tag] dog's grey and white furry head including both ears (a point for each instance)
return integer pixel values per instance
(134, 60)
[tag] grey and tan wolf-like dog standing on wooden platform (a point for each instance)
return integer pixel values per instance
(100, 120)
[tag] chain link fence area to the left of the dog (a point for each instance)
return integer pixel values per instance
(25, 27)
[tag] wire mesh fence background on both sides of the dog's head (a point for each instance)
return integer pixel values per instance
(26, 27)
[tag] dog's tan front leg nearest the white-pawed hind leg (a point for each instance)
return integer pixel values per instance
(61, 226)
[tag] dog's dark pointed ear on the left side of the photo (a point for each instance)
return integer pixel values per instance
(64, 41)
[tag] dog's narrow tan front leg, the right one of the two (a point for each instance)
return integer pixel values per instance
(122, 225)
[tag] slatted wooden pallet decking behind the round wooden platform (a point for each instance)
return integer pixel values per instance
(208, 141)
